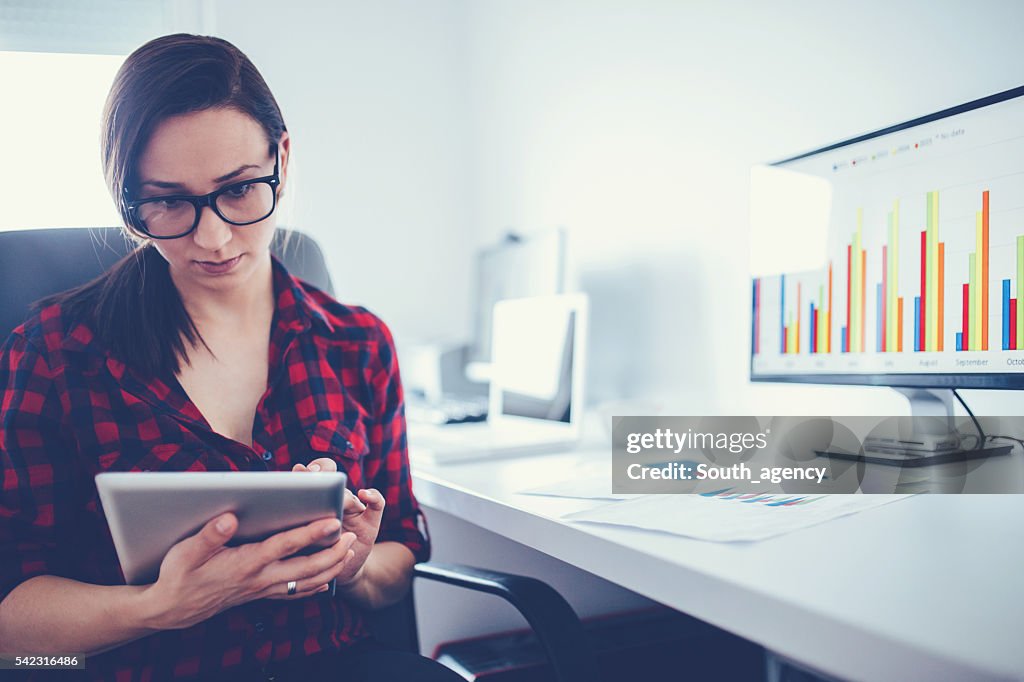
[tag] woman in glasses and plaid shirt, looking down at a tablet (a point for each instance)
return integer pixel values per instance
(199, 352)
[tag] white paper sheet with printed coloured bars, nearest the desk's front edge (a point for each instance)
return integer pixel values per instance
(731, 519)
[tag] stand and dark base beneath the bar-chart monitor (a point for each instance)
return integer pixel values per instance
(934, 442)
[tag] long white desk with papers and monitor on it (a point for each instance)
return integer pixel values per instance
(923, 589)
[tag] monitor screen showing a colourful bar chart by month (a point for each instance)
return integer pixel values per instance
(910, 244)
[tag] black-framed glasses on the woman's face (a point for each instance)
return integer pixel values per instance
(172, 217)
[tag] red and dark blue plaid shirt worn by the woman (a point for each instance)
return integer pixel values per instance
(71, 411)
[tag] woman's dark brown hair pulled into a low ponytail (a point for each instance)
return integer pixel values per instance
(135, 309)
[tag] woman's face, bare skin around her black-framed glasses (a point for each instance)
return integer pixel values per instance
(196, 154)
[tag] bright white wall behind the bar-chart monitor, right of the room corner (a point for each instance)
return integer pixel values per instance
(635, 124)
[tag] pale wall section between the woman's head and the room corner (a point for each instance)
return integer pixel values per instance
(375, 99)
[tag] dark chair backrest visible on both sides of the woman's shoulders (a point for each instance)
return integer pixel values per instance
(35, 264)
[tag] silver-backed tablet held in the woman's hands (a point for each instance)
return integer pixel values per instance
(150, 513)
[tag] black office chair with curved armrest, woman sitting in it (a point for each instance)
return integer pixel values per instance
(38, 263)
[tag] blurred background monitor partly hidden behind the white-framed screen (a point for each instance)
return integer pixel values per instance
(522, 266)
